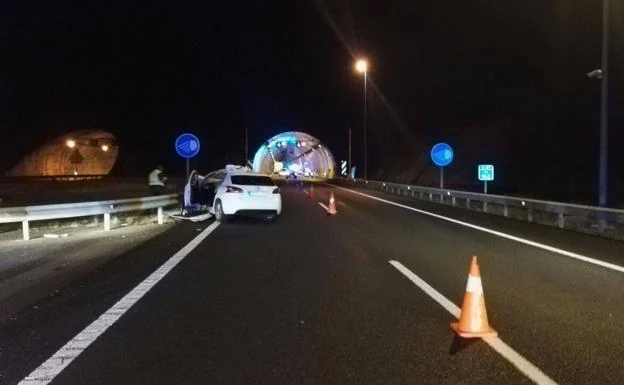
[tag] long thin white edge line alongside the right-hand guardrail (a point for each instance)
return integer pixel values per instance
(494, 232)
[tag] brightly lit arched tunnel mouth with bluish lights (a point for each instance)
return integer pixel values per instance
(296, 152)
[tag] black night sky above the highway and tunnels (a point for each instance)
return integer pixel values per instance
(151, 70)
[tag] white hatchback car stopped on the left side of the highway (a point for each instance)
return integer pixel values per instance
(239, 191)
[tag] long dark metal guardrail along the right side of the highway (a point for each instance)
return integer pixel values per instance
(607, 222)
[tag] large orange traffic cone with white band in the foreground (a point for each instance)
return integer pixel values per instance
(473, 321)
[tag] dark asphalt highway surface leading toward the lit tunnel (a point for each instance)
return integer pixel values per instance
(314, 299)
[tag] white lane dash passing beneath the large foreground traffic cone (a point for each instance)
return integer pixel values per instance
(521, 363)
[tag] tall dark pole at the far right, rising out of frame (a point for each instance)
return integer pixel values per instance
(604, 108)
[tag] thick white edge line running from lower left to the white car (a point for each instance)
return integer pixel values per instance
(47, 371)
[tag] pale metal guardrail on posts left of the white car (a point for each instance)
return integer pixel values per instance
(27, 214)
